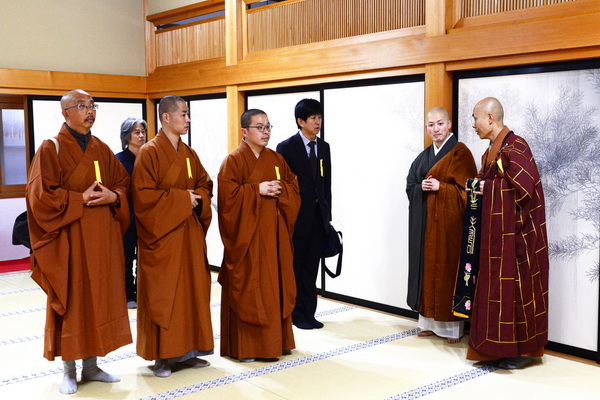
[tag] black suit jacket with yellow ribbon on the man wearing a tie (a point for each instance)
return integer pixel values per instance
(312, 189)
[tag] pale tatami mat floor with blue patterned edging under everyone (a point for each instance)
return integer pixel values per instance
(360, 354)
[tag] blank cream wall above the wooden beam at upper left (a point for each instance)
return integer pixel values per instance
(103, 37)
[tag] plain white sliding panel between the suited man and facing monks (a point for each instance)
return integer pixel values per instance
(375, 133)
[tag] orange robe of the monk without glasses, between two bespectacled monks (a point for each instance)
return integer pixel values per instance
(173, 272)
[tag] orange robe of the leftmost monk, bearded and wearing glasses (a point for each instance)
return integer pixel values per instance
(77, 250)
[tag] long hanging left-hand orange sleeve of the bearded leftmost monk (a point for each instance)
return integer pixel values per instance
(50, 208)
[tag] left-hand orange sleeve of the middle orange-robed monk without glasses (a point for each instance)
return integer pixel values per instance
(158, 210)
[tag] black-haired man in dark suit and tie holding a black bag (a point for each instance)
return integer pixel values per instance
(309, 159)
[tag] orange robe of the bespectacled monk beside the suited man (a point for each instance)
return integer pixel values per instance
(257, 274)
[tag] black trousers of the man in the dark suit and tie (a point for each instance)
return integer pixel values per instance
(307, 256)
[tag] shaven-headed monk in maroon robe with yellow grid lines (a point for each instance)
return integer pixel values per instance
(509, 319)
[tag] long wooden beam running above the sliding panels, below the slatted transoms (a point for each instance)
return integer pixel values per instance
(394, 50)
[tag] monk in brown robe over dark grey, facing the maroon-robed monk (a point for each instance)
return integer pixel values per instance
(436, 190)
